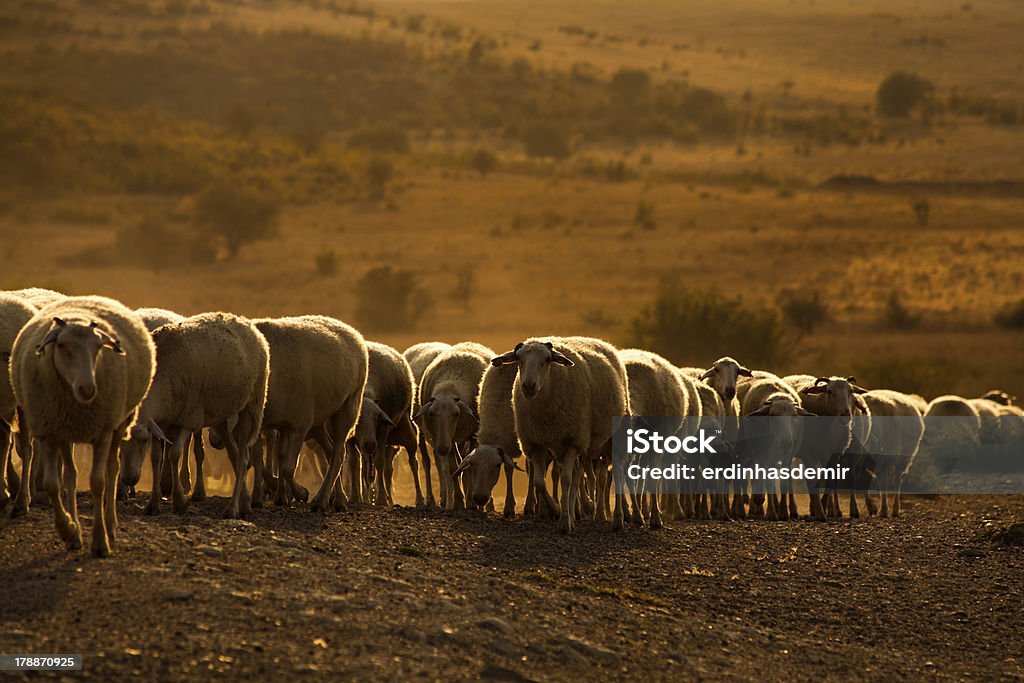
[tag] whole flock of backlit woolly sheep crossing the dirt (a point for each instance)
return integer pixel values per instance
(89, 370)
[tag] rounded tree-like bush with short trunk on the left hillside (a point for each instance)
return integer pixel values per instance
(237, 215)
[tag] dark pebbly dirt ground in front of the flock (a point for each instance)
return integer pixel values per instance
(411, 593)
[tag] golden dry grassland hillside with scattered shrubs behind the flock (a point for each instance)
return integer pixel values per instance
(534, 168)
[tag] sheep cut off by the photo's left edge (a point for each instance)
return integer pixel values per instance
(15, 313)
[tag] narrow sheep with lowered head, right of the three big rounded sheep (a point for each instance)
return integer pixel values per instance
(386, 420)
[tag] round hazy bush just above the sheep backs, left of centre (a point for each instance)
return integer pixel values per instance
(390, 301)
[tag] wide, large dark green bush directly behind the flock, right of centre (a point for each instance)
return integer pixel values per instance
(694, 327)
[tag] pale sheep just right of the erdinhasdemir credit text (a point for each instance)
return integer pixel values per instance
(898, 426)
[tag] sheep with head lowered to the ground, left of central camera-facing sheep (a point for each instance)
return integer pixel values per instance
(498, 446)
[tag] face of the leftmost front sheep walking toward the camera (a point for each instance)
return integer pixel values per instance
(75, 355)
